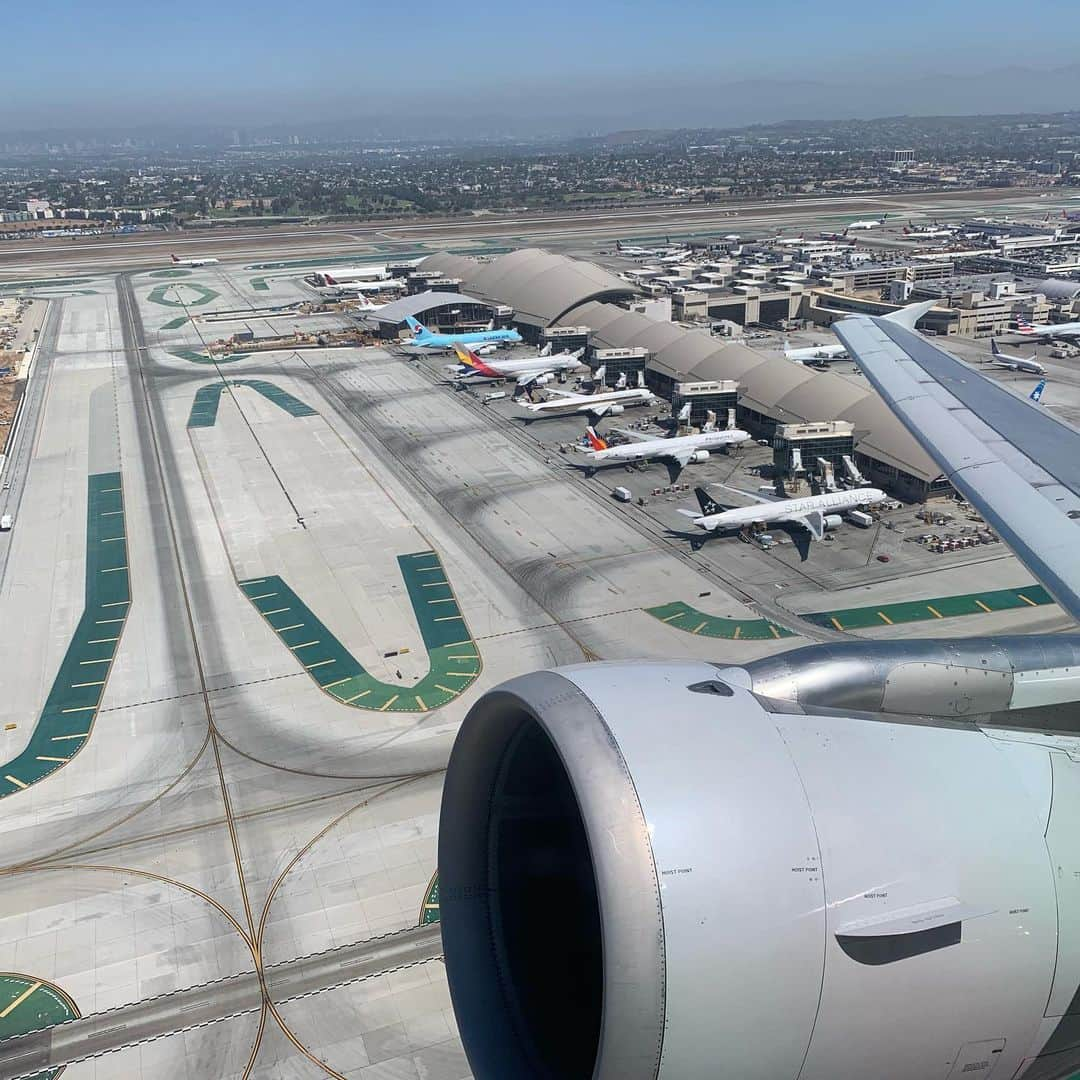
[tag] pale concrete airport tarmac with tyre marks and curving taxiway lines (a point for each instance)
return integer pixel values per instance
(252, 600)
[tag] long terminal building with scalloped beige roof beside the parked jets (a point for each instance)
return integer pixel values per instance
(548, 290)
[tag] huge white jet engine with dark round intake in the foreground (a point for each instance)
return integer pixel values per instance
(683, 871)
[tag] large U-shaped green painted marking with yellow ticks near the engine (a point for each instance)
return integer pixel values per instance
(337, 672)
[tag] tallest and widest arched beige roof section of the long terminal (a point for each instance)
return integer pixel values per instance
(541, 287)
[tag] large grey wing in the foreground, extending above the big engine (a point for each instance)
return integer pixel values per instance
(1018, 464)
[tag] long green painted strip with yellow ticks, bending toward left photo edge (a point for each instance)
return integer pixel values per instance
(72, 707)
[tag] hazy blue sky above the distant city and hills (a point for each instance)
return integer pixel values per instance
(588, 62)
